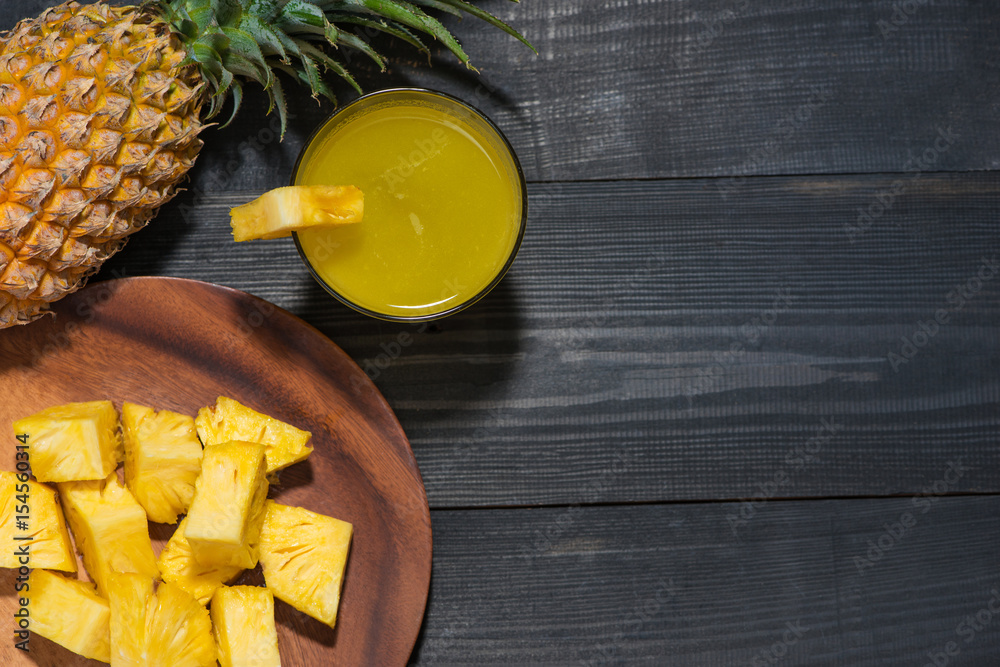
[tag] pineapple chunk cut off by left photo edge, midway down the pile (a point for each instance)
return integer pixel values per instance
(49, 546)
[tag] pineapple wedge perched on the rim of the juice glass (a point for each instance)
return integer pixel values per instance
(279, 212)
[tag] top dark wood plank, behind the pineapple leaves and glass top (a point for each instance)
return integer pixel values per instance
(725, 88)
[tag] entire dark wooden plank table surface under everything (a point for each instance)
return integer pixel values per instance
(737, 401)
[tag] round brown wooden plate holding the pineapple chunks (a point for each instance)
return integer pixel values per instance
(178, 344)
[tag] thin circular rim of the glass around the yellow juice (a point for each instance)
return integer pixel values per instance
(506, 145)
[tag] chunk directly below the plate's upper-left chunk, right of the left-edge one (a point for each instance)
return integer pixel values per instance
(110, 529)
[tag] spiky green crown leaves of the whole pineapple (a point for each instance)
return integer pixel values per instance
(232, 41)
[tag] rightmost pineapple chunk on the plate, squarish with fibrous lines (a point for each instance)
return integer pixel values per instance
(303, 555)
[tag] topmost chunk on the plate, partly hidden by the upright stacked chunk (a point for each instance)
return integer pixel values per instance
(231, 420)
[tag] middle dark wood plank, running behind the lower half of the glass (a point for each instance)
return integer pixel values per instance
(654, 341)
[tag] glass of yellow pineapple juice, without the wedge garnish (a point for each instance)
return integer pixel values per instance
(445, 204)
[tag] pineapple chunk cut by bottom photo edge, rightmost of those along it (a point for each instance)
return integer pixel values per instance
(243, 622)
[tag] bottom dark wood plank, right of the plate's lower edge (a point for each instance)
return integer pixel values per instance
(671, 584)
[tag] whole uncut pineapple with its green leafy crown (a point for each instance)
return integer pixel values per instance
(101, 110)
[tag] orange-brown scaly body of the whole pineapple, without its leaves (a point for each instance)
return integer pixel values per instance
(99, 122)
